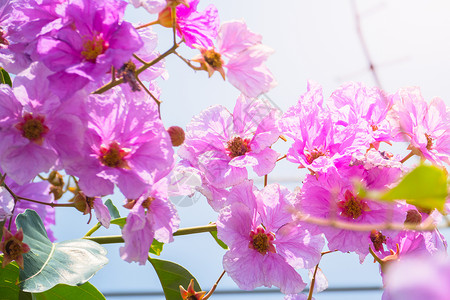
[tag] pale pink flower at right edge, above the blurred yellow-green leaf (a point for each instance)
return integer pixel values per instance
(425, 126)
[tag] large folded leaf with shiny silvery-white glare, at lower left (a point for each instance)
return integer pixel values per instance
(47, 264)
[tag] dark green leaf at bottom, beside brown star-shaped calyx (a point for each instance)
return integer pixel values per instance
(171, 276)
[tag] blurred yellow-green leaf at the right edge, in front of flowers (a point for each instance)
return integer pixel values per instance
(424, 187)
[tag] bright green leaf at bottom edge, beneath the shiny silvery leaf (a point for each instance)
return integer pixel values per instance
(67, 292)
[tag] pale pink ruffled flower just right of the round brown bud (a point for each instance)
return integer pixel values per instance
(221, 145)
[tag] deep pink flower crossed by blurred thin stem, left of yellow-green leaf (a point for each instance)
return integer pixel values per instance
(333, 195)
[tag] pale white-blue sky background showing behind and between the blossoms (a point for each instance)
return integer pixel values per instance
(408, 42)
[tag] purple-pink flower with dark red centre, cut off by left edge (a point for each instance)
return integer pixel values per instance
(37, 131)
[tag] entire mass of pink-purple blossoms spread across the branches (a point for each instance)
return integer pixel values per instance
(52, 118)
